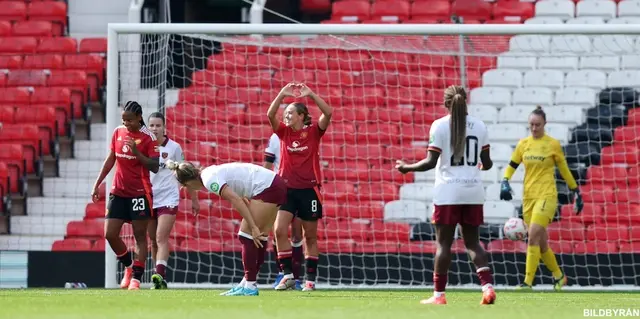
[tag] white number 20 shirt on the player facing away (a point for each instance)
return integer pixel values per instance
(458, 181)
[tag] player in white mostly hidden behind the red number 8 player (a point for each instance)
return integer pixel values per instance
(272, 161)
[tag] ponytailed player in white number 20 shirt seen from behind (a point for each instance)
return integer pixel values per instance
(458, 150)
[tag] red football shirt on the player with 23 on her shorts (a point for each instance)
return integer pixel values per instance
(131, 177)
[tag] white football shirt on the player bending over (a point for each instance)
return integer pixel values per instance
(246, 180)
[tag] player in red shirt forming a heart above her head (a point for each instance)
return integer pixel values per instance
(300, 168)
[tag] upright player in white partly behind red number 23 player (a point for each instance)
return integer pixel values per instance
(166, 197)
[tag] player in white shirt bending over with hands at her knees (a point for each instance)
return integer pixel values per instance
(256, 193)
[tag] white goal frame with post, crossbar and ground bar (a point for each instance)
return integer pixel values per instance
(112, 89)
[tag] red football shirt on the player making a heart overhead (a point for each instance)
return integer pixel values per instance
(299, 156)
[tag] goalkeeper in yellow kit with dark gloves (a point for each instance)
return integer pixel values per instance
(540, 154)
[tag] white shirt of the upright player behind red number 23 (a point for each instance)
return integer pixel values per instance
(166, 190)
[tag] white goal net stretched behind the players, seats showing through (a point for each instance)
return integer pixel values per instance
(386, 86)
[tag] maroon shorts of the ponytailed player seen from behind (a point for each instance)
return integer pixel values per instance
(472, 215)
